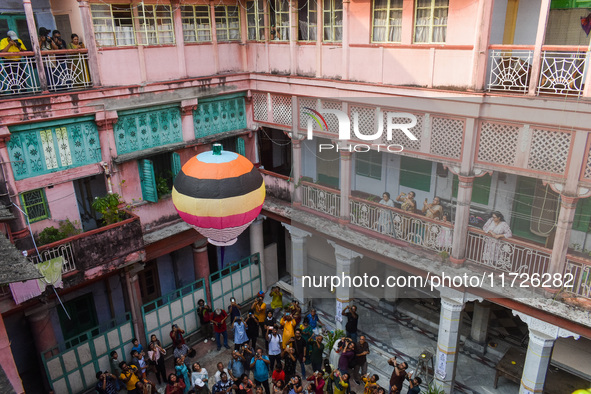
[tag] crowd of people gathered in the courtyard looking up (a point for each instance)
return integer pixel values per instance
(291, 340)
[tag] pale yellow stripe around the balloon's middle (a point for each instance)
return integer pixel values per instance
(219, 207)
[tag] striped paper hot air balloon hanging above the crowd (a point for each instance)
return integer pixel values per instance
(219, 193)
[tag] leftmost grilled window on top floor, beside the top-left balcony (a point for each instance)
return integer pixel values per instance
(113, 24)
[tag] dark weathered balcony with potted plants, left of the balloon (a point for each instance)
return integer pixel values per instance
(96, 251)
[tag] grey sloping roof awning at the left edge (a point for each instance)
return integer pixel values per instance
(14, 267)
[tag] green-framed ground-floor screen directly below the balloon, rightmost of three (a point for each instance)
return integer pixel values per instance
(241, 280)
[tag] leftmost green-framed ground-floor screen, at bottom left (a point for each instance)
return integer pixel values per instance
(74, 370)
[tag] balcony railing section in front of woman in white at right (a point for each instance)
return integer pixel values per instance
(507, 255)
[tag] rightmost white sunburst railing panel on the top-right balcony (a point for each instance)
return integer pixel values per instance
(562, 73)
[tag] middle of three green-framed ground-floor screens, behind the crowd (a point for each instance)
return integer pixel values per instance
(178, 307)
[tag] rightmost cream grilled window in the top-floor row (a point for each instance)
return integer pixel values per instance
(431, 20)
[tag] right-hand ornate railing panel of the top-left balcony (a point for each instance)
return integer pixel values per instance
(66, 70)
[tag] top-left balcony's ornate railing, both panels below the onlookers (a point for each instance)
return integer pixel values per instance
(65, 70)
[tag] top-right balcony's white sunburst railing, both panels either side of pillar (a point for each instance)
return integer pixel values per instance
(562, 70)
